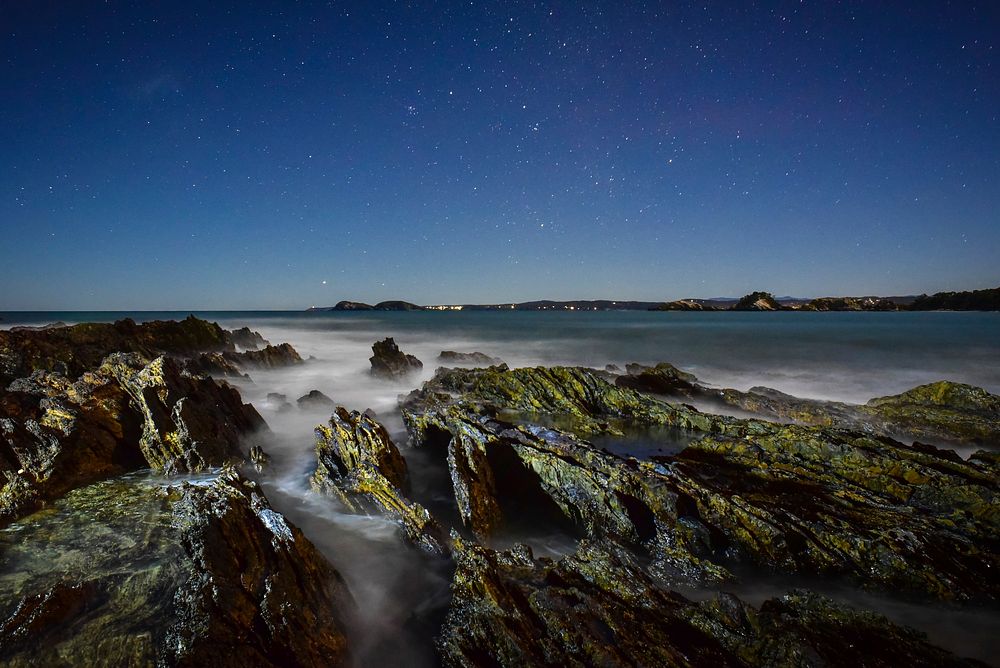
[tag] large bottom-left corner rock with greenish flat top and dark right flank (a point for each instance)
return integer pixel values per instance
(130, 572)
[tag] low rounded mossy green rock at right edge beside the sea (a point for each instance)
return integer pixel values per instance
(943, 411)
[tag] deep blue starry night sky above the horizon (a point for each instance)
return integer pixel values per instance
(279, 155)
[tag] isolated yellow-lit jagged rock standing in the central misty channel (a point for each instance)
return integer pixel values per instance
(358, 462)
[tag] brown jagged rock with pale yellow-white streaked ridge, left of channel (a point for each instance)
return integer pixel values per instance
(189, 424)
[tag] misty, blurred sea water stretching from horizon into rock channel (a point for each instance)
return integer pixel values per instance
(402, 594)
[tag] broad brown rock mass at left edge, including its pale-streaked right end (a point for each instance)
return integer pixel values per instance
(57, 433)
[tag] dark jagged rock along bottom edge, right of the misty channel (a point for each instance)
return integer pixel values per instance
(598, 608)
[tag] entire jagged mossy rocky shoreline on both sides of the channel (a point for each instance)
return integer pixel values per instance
(132, 530)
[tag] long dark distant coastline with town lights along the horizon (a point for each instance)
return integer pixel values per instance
(974, 300)
